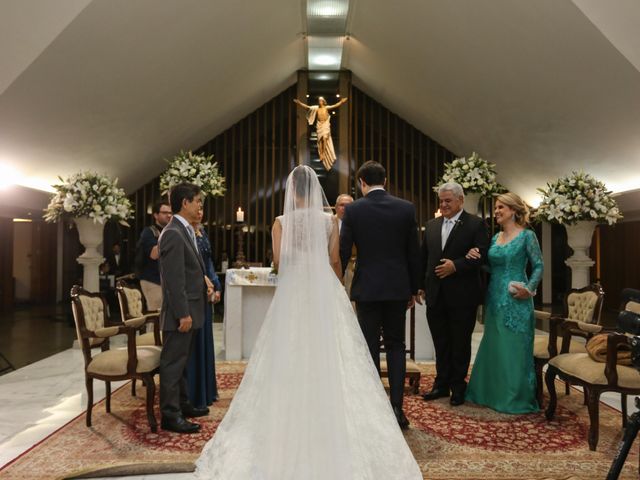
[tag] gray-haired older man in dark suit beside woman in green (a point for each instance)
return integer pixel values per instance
(452, 289)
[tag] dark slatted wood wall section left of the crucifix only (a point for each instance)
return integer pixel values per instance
(255, 155)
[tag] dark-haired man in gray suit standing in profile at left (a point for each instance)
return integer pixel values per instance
(183, 300)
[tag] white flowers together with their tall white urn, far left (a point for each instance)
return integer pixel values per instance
(90, 199)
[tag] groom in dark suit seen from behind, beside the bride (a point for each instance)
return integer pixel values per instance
(385, 282)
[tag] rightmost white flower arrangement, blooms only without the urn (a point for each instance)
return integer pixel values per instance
(577, 197)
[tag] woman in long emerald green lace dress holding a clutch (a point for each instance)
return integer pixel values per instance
(503, 376)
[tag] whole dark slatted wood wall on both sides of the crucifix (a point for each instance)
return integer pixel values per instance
(257, 153)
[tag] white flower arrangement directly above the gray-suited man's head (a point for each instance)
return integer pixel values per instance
(198, 169)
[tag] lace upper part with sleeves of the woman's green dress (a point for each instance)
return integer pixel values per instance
(508, 262)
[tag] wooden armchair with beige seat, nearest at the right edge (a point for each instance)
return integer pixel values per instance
(594, 377)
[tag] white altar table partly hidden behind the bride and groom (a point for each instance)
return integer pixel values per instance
(248, 294)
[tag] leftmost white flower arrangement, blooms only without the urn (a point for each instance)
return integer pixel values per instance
(89, 194)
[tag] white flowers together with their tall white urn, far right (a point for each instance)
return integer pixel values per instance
(579, 202)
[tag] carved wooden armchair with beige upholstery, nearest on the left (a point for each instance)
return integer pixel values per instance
(132, 362)
